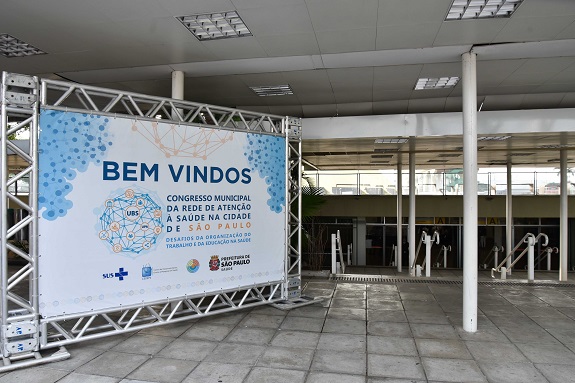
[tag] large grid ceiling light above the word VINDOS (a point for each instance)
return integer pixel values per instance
(214, 26)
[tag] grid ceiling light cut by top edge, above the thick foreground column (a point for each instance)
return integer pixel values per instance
(481, 9)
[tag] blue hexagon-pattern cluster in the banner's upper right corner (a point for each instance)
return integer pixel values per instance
(266, 154)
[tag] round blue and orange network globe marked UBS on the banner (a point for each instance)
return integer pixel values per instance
(131, 222)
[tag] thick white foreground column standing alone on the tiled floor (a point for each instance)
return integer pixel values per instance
(469, 192)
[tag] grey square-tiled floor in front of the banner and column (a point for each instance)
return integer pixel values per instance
(363, 332)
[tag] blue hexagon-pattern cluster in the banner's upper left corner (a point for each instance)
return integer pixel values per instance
(69, 142)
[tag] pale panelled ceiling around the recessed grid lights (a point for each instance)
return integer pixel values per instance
(340, 57)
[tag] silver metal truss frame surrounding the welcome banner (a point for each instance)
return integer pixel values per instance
(24, 333)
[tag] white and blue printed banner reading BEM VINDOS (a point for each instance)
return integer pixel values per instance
(136, 211)
